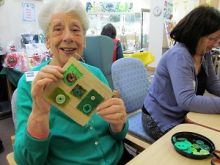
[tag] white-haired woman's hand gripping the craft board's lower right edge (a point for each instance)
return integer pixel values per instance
(113, 111)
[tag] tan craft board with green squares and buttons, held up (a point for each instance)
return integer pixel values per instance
(78, 93)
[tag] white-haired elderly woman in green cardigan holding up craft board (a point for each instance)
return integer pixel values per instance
(44, 135)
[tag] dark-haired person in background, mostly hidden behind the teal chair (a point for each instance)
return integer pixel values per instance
(110, 31)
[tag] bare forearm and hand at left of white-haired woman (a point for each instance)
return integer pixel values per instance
(38, 122)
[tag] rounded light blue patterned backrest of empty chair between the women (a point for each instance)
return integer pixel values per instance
(130, 78)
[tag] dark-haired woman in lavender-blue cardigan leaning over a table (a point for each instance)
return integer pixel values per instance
(183, 74)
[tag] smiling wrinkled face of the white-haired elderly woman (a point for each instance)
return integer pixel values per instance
(65, 38)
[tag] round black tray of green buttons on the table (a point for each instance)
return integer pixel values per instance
(199, 142)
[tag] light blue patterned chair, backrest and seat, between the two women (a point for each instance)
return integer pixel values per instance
(131, 80)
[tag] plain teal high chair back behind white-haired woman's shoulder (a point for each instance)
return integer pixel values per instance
(98, 52)
